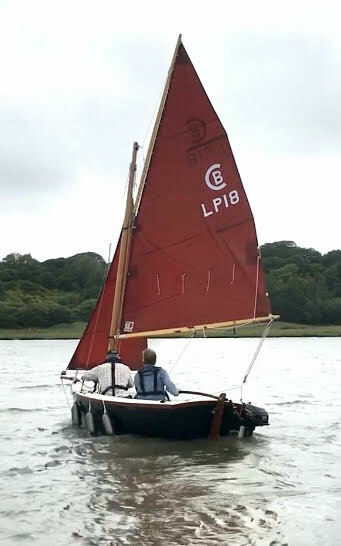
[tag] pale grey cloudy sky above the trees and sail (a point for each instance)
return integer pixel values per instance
(80, 80)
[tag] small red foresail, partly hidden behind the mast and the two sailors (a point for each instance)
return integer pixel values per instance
(92, 347)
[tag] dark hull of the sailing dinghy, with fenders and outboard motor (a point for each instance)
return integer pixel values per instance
(186, 420)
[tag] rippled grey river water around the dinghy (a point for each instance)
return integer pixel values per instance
(281, 487)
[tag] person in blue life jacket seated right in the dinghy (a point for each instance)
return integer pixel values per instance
(153, 382)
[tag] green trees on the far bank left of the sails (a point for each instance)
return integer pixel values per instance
(35, 294)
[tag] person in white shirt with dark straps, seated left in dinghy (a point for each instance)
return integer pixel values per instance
(114, 377)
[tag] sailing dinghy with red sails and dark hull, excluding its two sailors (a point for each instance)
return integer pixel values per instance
(187, 260)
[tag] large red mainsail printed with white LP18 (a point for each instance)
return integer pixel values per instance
(194, 255)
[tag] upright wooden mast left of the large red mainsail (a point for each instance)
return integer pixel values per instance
(123, 256)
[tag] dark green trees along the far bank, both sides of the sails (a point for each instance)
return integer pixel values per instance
(304, 286)
